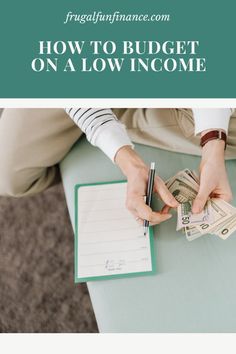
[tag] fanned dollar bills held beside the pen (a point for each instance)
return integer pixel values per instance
(217, 218)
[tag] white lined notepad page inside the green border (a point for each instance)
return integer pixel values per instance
(110, 241)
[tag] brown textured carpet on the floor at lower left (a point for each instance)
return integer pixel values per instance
(37, 292)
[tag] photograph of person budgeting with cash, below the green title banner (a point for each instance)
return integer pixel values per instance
(117, 220)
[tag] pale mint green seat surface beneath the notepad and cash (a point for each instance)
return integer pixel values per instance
(194, 289)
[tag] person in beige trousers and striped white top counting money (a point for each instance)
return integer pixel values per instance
(37, 141)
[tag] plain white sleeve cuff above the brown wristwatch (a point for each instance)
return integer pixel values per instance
(213, 118)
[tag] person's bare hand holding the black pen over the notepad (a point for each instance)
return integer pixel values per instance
(136, 172)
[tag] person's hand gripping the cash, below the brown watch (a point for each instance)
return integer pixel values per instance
(213, 175)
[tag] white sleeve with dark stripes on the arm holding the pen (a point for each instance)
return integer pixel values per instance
(102, 128)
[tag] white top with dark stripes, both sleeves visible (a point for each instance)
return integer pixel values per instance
(104, 130)
